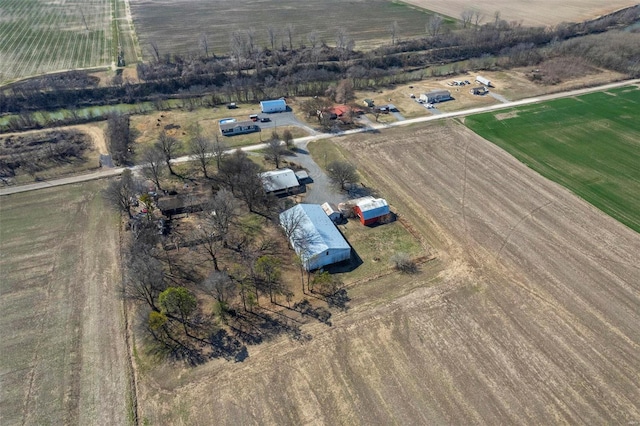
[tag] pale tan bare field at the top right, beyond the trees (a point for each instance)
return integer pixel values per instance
(539, 13)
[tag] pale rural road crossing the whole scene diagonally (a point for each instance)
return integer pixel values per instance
(303, 141)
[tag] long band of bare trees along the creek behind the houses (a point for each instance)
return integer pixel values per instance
(251, 72)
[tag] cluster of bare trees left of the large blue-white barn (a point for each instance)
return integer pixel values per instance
(245, 268)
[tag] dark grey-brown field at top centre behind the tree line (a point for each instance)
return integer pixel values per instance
(177, 27)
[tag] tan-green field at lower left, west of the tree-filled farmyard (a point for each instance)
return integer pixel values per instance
(64, 359)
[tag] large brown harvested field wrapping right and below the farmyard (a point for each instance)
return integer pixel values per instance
(529, 316)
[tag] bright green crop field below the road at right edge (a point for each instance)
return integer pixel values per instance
(589, 144)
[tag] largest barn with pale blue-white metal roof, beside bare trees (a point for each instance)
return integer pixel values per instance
(314, 238)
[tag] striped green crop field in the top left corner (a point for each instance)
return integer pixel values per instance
(38, 36)
